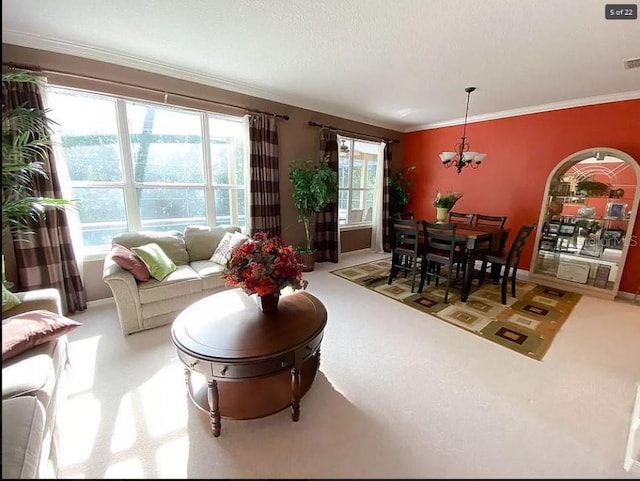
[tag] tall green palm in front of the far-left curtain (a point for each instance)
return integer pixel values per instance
(26, 138)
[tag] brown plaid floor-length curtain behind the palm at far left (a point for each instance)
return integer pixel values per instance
(45, 257)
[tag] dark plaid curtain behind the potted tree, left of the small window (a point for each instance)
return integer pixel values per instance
(326, 232)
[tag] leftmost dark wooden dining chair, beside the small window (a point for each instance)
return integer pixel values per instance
(406, 250)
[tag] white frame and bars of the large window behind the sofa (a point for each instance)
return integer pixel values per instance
(129, 186)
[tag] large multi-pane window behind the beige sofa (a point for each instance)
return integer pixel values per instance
(135, 165)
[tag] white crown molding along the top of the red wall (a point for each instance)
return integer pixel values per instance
(602, 99)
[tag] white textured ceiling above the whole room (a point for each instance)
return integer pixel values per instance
(401, 64)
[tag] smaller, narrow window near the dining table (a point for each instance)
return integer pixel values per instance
(357, 164)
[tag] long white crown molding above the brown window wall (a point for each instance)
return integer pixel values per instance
(125, 60)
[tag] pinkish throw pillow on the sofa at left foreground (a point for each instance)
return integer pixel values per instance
(29, 329)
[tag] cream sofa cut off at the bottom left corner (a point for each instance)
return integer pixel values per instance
(33, 387)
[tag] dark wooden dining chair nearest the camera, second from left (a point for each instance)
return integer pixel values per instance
(440, 251)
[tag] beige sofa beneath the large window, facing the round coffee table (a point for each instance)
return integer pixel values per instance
(145, 305)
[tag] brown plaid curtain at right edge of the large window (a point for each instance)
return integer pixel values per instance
(264, 174)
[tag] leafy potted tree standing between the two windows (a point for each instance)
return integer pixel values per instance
(314, 186)
